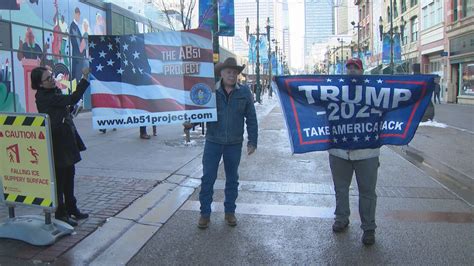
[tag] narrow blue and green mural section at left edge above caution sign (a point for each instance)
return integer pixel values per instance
(8, 98)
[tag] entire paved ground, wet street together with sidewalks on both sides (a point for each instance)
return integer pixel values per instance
(145, 205)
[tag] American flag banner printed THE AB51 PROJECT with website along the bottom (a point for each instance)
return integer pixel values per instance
(152, 79)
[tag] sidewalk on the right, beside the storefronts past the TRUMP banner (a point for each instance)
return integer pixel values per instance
(444, 149)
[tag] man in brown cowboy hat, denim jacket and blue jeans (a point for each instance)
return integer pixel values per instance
(224, 138)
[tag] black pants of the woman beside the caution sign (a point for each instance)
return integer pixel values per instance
(65, 190)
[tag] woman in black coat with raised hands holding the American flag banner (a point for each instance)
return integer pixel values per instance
(67, 144)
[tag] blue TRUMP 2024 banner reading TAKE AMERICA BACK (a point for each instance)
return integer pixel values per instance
(352, 112)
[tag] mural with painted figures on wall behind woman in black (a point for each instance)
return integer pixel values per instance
(50, 46)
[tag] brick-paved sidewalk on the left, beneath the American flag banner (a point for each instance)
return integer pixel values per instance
(117, 168)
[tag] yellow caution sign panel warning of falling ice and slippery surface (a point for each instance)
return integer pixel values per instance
(26, 164)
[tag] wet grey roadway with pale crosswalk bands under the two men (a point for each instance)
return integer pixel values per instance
(285, 211)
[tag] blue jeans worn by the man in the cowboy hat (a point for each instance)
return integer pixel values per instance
(210, 161)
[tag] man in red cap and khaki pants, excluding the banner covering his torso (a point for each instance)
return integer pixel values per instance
(365, 164)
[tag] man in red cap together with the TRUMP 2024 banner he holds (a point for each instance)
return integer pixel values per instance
(352, 116)
